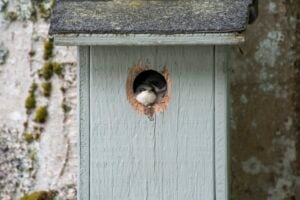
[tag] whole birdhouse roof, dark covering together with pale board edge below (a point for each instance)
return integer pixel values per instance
(156, 22)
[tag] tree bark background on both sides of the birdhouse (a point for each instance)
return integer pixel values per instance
(42, 156)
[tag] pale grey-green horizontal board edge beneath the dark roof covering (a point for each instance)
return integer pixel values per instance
(148, 39)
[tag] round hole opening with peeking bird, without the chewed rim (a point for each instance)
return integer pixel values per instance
(150, 88)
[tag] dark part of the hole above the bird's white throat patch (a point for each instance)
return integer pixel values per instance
(150, 79)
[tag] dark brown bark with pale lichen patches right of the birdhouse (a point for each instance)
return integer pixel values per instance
(265, 106)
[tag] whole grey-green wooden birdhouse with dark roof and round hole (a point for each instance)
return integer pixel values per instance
(152, 94)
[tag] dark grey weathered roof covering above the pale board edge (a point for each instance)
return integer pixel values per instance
(149, 17)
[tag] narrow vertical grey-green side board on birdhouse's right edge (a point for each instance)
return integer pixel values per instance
(221, 123)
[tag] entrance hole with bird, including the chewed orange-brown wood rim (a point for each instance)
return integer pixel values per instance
(148, 91)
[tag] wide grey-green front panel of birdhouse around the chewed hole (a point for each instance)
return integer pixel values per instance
(168, 158)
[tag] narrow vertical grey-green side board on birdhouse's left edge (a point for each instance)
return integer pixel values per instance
(84, 122)
